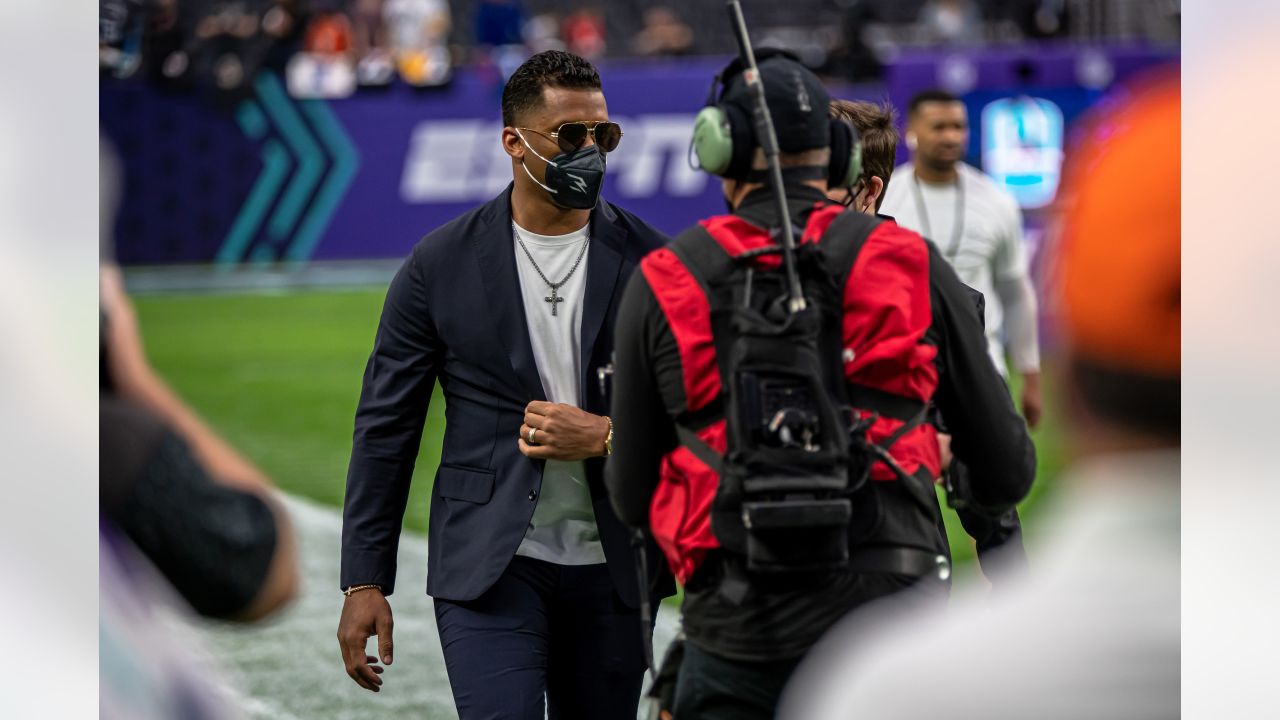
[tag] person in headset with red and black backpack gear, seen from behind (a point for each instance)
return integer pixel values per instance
(746, 420)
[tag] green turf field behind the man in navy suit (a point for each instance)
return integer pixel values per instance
(280, 376)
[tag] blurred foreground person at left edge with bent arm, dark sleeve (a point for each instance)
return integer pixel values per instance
(186, 525)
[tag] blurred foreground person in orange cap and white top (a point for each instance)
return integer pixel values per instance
(1095, 632)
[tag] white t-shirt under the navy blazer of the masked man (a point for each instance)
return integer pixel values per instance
(564, 526)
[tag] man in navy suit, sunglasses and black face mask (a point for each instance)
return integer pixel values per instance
(511, 307)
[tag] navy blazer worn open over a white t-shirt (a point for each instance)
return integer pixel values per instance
(455, 313)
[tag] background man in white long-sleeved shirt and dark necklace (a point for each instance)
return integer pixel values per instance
(977, 226)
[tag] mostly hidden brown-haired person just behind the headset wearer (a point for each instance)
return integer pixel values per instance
(999, 539)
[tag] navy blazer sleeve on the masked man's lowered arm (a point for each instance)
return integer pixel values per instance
(394, 403)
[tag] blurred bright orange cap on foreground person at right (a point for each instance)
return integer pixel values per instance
(1119, 268)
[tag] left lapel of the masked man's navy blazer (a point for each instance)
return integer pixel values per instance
(496, 250)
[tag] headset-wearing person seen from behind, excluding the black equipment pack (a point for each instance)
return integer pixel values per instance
(909, 334)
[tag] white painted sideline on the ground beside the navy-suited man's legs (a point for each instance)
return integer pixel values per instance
(291, 667)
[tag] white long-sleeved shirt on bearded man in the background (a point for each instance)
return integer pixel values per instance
(989, 254)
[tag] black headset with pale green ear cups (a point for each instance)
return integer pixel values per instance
(723, 134)
